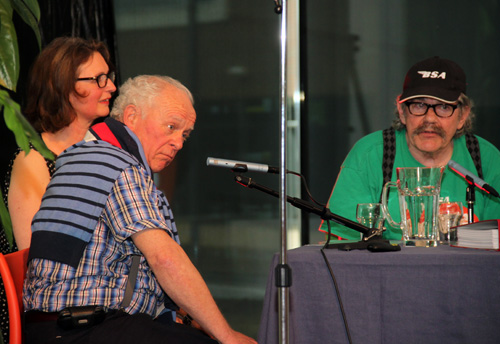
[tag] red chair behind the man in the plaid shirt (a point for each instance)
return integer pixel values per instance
(13, 268)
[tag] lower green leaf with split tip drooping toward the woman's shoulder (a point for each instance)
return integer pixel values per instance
(22, 129)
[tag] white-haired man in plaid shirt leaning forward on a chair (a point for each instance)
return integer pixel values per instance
(101, 210)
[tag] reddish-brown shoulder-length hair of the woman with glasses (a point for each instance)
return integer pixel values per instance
(52, 80)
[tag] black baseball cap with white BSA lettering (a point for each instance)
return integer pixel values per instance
(436, 78)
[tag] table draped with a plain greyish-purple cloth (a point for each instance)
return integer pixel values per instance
(417, 295)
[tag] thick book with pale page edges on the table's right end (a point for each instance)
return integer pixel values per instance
(481, 234)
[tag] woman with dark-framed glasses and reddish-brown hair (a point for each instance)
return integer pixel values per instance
(69, 87)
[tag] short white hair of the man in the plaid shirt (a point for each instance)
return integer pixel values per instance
(143, 91)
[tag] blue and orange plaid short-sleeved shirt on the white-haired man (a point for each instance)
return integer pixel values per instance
(134, 204)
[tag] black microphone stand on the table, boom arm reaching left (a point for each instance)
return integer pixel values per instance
(372, 237)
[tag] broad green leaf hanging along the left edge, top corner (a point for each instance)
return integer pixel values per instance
(9, 53)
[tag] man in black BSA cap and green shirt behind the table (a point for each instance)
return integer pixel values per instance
(433, 124)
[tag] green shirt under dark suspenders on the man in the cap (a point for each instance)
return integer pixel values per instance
(360, 181)
